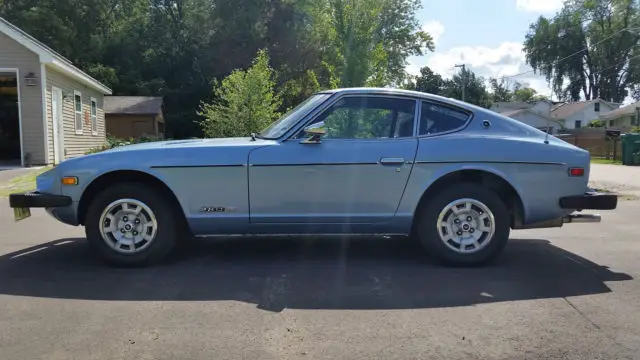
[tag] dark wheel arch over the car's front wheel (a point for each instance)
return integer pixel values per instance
(106, 179)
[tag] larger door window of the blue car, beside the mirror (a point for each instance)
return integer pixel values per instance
(368, 117)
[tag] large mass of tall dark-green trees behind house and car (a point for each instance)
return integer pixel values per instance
(178, 48)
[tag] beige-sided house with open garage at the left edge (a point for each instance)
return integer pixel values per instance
(49, 109)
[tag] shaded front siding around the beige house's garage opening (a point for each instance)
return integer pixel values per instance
(14, 55)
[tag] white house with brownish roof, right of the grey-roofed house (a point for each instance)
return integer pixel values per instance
(576, 115)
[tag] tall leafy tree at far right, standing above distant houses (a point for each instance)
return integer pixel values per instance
(594, 44)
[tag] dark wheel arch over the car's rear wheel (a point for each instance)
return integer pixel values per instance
(491, 179)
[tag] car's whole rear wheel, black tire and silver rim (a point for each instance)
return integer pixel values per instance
(464, 225)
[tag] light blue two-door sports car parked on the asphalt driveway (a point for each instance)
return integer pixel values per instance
(454, 176)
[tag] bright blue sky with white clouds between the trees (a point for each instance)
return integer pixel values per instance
(486, 35)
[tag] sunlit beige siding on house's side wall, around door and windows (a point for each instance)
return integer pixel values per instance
(74, 144)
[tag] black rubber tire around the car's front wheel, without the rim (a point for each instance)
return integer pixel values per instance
(168, 230)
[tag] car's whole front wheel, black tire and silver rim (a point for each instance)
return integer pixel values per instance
(132, 224)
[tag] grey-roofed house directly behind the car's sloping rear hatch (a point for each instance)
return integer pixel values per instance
(534, 114)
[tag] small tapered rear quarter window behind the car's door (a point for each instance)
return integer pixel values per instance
(435, 119)
